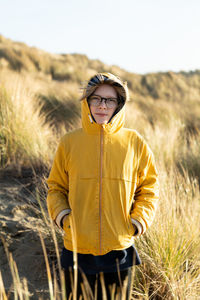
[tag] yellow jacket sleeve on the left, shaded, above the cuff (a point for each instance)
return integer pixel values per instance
(58, 183)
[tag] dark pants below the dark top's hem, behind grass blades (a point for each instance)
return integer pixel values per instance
(100, 284)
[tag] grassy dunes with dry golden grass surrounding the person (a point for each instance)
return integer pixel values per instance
(37, 106)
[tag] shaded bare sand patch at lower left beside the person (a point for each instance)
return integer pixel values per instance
(20, 221)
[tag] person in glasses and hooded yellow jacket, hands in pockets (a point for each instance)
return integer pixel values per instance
(103, 187)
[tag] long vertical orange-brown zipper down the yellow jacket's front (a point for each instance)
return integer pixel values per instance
(100, 189)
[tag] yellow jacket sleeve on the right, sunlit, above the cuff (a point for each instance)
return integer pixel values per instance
(147, 189)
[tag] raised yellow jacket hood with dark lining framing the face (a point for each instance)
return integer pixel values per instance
(117, 121)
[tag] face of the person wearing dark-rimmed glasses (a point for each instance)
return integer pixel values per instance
(102, 113)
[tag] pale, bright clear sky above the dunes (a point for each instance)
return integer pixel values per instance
(140, 36)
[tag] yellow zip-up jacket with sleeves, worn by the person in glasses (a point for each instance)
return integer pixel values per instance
(106, 175)
